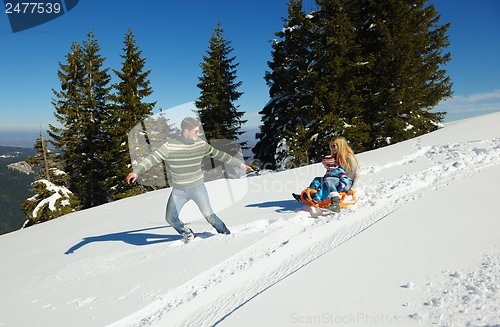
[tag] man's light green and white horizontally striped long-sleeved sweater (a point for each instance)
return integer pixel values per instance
(184, 158)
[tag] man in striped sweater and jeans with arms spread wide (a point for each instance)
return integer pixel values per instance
(184, 156)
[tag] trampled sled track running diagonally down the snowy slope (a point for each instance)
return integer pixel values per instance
(294, 240)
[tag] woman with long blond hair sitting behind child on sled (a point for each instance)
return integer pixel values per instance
(345, 158)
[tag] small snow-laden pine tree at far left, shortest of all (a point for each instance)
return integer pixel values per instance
(53, 199)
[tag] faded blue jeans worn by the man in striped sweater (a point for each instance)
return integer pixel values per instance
(178, 198)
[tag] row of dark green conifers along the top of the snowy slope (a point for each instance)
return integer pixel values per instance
(371, 71)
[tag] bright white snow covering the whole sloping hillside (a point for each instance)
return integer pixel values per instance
(421, 247)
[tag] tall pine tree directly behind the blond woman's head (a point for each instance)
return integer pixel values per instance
(334, 78)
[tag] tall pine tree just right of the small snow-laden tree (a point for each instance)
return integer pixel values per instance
(81, 108)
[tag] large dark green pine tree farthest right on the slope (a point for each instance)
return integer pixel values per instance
(407, 78)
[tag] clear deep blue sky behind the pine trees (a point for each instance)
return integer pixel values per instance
(174, 35)
